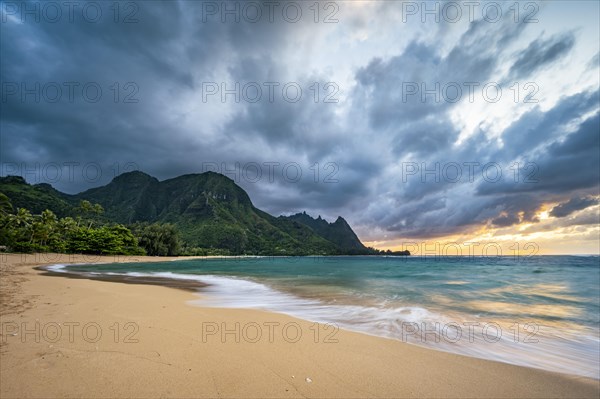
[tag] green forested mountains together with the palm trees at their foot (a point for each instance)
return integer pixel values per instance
(195, 214)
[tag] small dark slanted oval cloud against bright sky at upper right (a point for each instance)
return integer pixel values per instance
(541, 53)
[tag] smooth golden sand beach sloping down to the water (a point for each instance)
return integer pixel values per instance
(66, 337)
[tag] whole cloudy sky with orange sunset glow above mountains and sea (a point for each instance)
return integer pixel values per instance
(439, 127)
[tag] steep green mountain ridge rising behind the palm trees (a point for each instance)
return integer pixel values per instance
(209, 210)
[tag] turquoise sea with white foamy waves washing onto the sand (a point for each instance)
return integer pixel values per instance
(541, 312)
